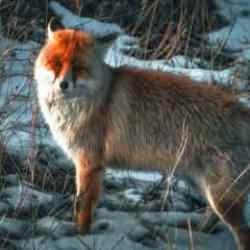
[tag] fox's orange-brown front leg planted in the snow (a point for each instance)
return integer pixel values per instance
(88, 189)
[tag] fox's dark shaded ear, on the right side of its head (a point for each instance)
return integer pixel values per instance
(104, 43)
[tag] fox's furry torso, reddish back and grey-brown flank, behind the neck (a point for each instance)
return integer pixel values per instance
(157, 112)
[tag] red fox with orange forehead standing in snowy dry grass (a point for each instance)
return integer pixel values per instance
(102, 115)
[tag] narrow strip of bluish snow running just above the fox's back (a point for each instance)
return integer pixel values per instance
(177, 65)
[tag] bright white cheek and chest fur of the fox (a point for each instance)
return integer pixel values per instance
(67, 114)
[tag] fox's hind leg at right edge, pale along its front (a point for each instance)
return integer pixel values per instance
(226, 193)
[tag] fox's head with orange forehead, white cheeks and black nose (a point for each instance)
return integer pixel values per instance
(70, 66)
